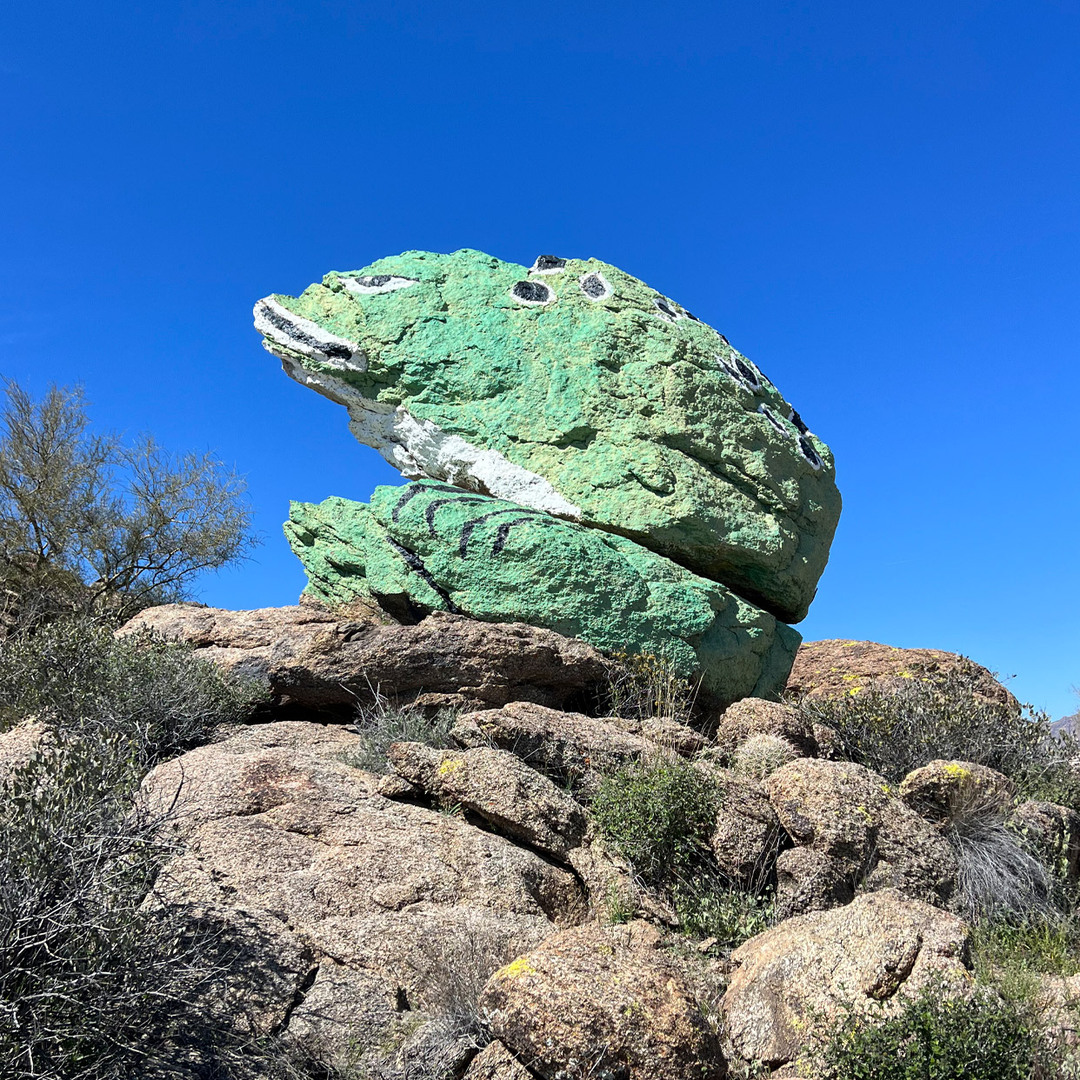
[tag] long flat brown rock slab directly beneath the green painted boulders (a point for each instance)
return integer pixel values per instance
(314, 657)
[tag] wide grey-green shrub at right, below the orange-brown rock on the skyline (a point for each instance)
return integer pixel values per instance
(895, 732)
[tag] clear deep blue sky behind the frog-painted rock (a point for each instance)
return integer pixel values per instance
(879, 204)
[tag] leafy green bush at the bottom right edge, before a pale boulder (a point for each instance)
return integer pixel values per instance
(936, 1037)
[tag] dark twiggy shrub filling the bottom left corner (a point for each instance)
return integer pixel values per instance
(94, 981)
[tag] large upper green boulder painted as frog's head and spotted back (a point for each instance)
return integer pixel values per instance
(575, 389)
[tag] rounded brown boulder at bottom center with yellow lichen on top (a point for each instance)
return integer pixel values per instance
(601, 1001)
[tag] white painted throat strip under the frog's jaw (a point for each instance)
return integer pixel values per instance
(421, 449)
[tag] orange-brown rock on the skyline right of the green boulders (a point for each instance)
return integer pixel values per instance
(836, 669)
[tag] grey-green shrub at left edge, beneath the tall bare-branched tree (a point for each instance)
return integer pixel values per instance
(85, 683)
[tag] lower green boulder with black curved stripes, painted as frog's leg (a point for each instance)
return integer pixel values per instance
(429, 546)
